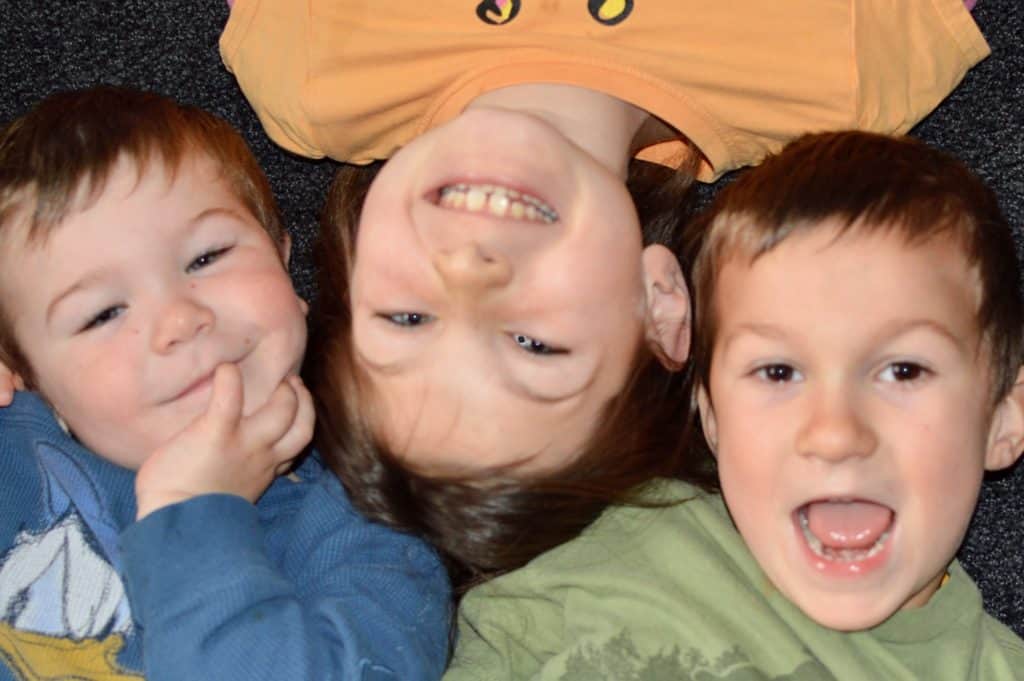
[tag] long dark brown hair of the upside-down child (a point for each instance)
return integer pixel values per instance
(486, 527)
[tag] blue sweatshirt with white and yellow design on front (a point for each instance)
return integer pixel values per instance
(296, 587)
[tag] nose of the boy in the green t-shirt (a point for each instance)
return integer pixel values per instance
(835, 430)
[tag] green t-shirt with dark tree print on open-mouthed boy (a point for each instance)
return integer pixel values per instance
(673, 594)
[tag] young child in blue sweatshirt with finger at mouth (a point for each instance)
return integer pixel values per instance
(146, 297)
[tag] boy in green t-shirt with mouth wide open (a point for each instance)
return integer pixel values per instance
(859, 361)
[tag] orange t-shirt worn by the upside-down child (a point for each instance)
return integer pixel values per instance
(357, 79)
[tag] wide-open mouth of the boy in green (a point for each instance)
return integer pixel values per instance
(844, 530)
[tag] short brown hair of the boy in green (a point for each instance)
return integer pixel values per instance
(865, 183)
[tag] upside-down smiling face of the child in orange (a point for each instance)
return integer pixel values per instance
(498, 294)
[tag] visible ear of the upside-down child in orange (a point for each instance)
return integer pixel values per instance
(667, 321)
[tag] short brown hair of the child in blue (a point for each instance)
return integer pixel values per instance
(56, 160)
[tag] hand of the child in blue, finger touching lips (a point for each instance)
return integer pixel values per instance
(224, 452)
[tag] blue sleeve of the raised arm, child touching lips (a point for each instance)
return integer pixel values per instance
(346, 600)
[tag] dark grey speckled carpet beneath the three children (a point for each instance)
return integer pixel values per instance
(172, 47)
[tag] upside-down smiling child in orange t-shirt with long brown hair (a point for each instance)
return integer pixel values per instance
(494, 345)
